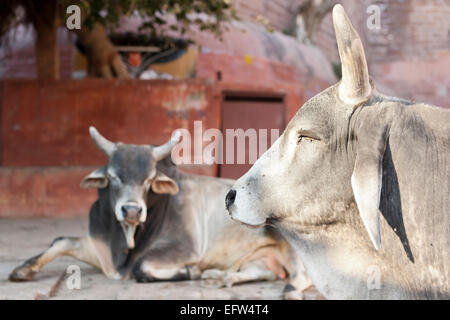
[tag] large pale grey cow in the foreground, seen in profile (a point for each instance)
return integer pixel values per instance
(359, 183)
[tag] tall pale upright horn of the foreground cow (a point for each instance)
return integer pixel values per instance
(355, 84)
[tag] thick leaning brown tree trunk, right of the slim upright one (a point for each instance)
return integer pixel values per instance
(103, 59)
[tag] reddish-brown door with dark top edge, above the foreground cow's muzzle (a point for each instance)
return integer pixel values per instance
(245, 111)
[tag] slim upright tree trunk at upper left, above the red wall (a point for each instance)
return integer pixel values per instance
(46, 46)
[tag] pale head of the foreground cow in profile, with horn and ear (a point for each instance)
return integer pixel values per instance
(324, 160)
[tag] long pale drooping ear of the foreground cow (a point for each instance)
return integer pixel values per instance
(367, 181)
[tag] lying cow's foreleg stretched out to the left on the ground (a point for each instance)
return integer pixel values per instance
(84, 249)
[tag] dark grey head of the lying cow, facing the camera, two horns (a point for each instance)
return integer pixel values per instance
(128, 177)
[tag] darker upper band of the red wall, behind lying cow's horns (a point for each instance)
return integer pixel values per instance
(45, 123)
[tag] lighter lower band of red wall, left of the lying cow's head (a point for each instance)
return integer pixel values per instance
(44, 192)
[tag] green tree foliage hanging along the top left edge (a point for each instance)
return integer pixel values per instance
(206, 14)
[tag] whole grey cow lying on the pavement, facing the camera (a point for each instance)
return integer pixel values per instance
(153, 222)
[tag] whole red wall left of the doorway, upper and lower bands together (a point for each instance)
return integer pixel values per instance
(45, 147)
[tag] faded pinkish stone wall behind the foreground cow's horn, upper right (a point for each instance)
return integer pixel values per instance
(409, 56)
